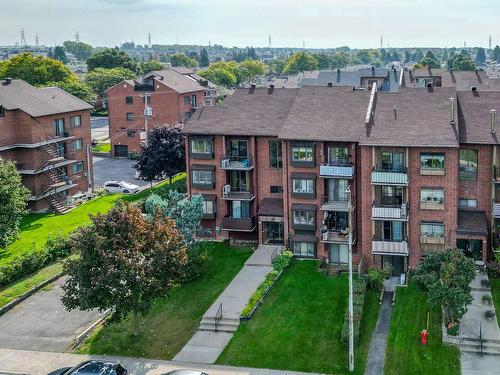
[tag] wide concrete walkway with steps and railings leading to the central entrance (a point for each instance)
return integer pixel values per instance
(207, 344)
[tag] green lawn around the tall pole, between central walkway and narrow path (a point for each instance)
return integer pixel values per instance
(299, 326)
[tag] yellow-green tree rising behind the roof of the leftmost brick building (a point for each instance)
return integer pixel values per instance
(36, 70)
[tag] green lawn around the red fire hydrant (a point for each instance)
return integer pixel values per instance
(404, 350)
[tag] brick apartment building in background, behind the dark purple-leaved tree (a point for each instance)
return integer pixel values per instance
(172, 95)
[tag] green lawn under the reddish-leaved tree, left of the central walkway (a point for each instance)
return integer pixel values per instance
(172, 320)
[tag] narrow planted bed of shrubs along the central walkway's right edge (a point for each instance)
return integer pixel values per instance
(280, 264)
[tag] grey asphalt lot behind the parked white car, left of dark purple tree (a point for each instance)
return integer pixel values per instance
(108, 169)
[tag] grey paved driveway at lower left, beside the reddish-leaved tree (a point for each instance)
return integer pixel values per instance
(42, 323)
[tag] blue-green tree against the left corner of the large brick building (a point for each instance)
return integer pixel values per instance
(185, 211)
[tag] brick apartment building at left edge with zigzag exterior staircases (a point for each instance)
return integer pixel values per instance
(46, 131)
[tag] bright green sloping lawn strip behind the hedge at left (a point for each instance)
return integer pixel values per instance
(35, 228)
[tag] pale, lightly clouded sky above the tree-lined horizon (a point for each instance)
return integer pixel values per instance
(316, 23)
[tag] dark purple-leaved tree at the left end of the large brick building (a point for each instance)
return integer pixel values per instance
(164, 153)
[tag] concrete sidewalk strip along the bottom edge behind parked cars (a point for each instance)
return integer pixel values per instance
(38, 363)
